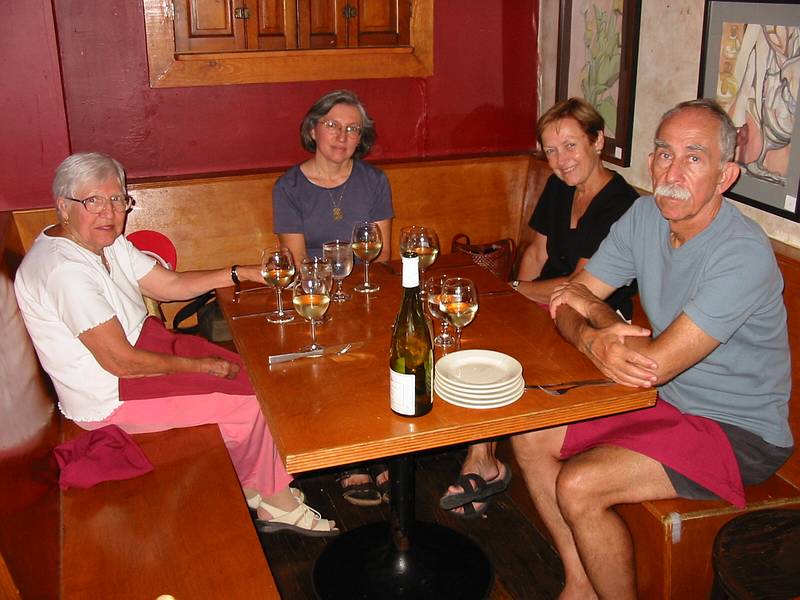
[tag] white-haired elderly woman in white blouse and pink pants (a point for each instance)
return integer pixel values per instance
(80, 290)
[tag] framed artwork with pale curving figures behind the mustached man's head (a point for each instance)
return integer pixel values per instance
(751, 65)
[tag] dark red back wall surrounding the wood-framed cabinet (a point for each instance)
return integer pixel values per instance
(482, 97)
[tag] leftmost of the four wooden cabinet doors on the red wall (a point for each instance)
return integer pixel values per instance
(209, 26)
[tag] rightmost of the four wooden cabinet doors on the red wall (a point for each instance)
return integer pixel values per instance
(380, 23)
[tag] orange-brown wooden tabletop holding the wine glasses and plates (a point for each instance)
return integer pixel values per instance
(334, 410)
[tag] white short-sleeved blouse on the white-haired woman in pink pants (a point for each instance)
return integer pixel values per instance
(63, 290)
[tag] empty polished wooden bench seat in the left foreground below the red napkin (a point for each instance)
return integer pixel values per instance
(182, 529)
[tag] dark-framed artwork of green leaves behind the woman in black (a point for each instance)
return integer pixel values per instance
(598, 43)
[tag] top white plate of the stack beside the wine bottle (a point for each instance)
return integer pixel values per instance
(475, 369)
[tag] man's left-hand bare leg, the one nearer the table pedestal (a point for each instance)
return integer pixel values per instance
(538, 454)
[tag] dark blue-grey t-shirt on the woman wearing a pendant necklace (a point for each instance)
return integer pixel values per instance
(299, 206)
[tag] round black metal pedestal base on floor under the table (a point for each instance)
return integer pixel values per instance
(440, 564)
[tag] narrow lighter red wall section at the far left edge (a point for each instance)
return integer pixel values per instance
(33, 127)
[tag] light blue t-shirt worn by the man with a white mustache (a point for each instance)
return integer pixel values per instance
(727, 281)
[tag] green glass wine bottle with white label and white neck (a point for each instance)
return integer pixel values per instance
(411, 354)
